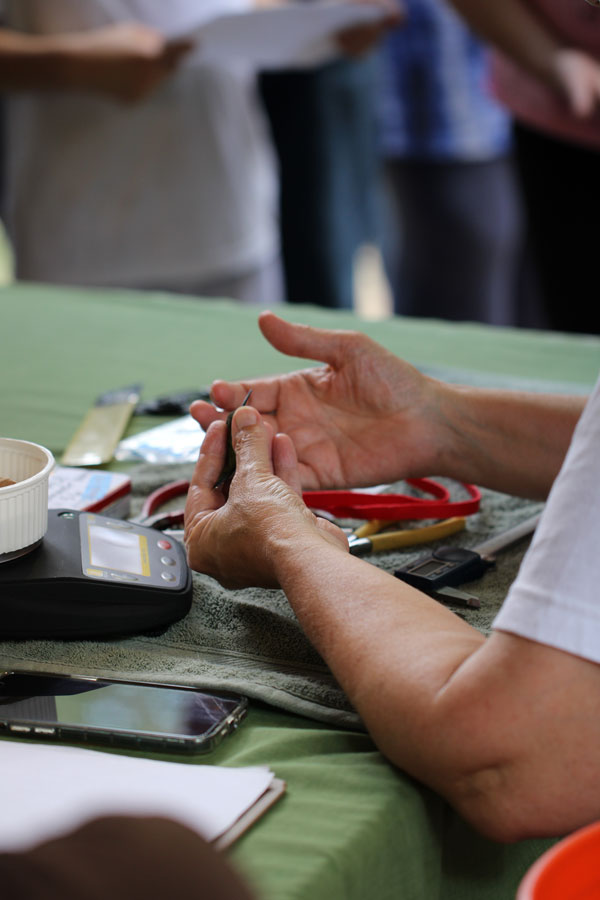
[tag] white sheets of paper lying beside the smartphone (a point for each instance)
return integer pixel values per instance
(50, 790)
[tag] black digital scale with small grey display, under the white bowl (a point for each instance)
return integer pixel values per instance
(93, 576)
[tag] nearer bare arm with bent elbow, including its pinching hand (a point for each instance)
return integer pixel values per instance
(506, 729)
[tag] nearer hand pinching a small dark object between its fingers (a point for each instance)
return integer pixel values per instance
(242, 538)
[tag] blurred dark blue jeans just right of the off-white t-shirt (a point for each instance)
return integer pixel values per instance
(323, 128)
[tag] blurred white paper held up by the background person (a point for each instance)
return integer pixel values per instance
(285, 36)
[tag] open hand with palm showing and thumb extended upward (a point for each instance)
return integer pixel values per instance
(365, 417)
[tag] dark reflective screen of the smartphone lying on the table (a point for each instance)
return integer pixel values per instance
(129, 707)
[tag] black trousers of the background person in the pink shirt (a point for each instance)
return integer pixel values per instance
(561, 187)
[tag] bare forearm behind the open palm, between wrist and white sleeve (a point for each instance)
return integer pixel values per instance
(507, 441)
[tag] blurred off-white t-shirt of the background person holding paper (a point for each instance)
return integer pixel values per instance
(178, 189)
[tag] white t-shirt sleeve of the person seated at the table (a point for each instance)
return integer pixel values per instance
(555, 598)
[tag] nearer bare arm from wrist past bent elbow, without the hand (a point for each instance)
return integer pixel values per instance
(469, 717)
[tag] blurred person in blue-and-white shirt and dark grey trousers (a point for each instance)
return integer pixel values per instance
(452, 233)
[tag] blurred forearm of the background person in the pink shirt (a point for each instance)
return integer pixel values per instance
(514, 29)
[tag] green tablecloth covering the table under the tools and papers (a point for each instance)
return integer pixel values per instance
(350, 826)
